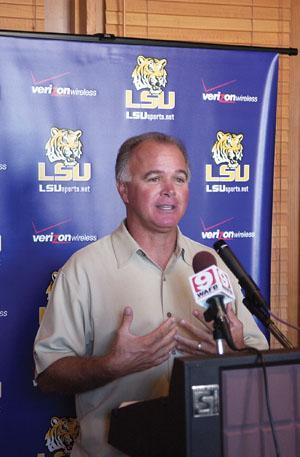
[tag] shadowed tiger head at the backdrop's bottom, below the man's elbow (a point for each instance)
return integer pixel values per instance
(61, 435)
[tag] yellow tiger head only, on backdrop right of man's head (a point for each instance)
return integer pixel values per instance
(228, 149)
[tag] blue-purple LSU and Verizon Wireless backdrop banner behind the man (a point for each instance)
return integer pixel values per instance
(66, 106)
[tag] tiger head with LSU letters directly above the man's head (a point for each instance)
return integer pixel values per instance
(150, 77)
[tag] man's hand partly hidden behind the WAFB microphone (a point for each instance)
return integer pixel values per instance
(202, 339)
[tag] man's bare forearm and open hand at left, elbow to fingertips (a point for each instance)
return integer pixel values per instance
(129, 353)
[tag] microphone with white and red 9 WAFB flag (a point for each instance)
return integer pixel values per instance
(212, 290)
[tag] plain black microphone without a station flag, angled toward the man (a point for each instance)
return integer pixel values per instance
(246, 282)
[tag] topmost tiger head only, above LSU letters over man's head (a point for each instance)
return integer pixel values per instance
(150, 73)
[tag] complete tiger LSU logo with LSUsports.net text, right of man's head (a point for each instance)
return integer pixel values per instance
(227, 151)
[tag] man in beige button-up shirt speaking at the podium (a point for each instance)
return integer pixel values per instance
(121, 308)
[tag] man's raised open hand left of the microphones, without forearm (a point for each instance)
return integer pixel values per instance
(131, 353)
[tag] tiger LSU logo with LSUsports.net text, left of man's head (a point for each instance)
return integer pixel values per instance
(65, 148)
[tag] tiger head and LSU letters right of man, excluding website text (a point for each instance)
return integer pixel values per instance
(227, 152)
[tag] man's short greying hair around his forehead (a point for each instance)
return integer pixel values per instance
(130, 144)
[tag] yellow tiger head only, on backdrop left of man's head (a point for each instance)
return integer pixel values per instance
(65, 145)
